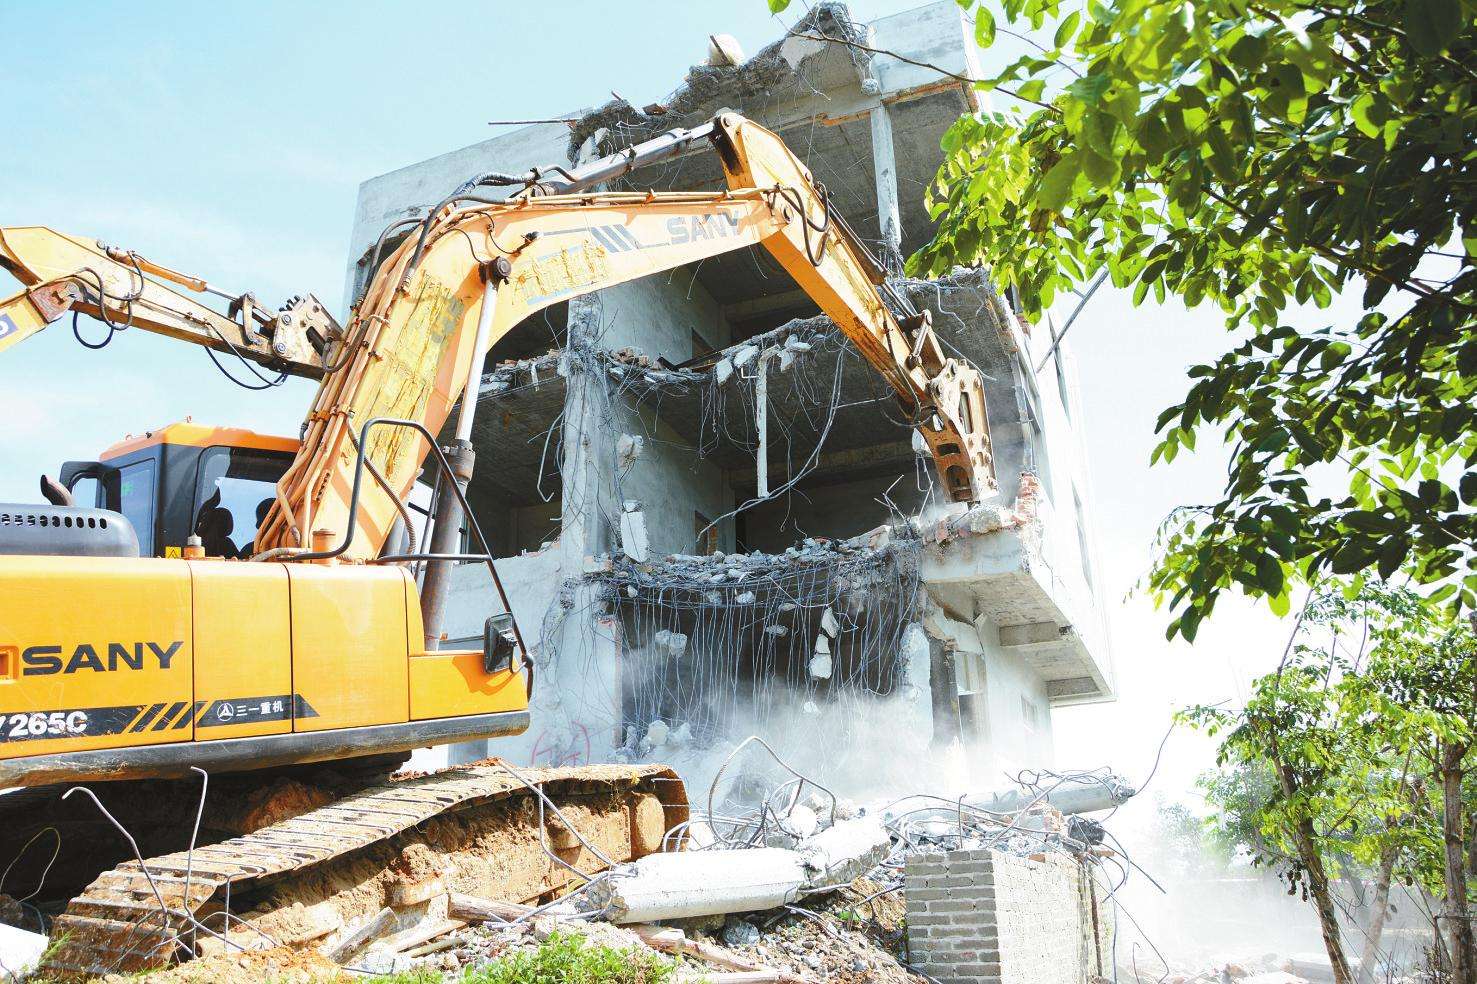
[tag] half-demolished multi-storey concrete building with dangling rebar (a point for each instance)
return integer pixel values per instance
(711, 515)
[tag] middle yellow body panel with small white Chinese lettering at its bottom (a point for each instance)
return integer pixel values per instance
(244, 649)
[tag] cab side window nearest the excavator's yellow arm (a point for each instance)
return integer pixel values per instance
(233, 496)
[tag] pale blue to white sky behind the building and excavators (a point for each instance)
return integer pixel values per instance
(228, 140)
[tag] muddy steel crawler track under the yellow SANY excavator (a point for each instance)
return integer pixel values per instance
(144, 917)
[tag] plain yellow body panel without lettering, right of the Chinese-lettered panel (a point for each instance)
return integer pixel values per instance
(352, 621)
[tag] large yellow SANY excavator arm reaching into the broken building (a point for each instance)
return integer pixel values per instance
(473, 273)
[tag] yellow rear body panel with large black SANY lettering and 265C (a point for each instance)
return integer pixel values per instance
(97, 654)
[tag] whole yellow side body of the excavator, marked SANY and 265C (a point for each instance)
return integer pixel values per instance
(104, 654)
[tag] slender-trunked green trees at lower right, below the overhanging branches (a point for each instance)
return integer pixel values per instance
(1367, 732)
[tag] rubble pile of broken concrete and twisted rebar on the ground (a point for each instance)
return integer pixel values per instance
(773, 878)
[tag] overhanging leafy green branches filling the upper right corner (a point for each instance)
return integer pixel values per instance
(1255, 156)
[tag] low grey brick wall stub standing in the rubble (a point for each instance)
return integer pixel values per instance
(993, 918)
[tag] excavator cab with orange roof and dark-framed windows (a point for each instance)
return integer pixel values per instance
(187, 479)
